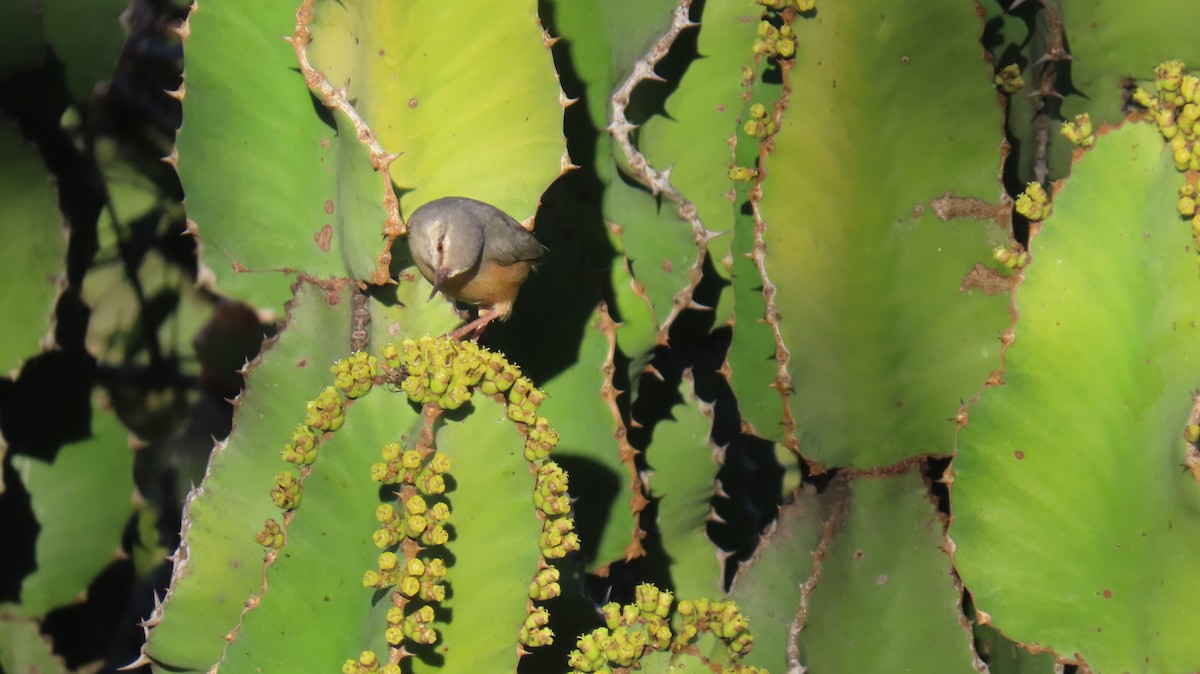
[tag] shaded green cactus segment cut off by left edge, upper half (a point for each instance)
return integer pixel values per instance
(33, 257)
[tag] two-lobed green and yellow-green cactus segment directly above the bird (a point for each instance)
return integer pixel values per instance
(303, 196)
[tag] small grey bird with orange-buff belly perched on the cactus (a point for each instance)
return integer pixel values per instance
(473, 252)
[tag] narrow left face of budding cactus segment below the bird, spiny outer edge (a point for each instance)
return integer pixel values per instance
(220, 564)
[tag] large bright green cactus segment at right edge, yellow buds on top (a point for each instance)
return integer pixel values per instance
(1078, 455)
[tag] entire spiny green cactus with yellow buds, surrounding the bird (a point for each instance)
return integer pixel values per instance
(907, 286)
